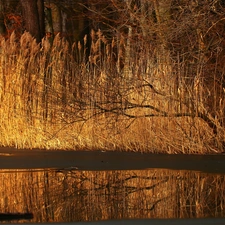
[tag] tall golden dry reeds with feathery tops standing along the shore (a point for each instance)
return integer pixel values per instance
(53, 97)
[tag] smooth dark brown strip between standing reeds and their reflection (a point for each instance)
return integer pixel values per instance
(11, 158)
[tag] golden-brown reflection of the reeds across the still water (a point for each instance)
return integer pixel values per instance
(87, 196)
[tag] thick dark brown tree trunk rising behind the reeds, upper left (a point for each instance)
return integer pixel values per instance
(31, 17)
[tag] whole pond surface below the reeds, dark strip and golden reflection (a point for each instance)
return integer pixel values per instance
(75, 192)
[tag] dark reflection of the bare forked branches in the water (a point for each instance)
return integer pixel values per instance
(117, 190)
